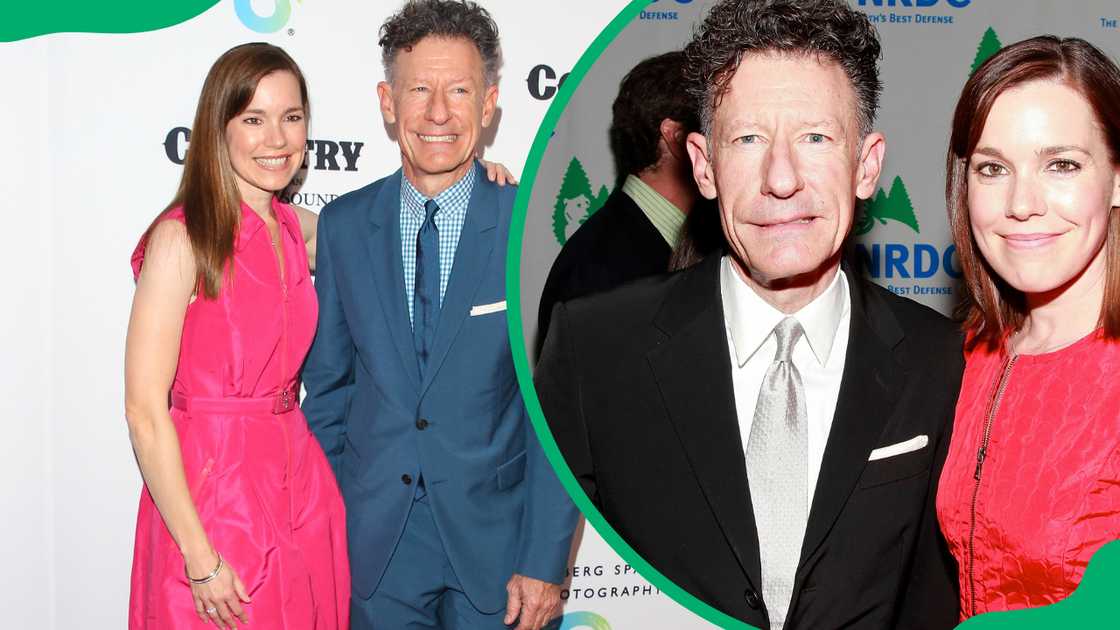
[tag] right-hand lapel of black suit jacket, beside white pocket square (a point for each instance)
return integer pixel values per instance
(870, 390)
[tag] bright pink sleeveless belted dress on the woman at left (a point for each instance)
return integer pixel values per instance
(263, 487)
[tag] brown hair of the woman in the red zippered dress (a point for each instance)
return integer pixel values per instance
(992, 309)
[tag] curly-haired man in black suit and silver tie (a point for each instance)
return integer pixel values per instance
(767, 429)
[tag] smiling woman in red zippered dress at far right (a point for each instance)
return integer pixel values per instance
(1031, 488)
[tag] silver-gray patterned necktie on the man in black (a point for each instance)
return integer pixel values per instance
(778, 452)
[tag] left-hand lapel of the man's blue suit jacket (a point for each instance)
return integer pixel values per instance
(388, 272)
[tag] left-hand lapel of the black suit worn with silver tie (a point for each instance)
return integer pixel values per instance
(693, 369)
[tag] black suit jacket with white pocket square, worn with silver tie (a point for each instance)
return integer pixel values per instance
(637, 386)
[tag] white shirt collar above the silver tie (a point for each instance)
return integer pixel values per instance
(751, 320)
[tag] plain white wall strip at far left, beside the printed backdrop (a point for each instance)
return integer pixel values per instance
(26, 386)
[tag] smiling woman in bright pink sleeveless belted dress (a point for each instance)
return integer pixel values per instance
(240, 518)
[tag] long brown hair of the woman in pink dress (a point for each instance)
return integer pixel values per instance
(209, 191)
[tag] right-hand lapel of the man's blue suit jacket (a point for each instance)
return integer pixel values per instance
(473, 253)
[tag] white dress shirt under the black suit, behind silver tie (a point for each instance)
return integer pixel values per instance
(751, 325)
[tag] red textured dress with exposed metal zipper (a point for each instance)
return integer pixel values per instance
(1032, 485)
